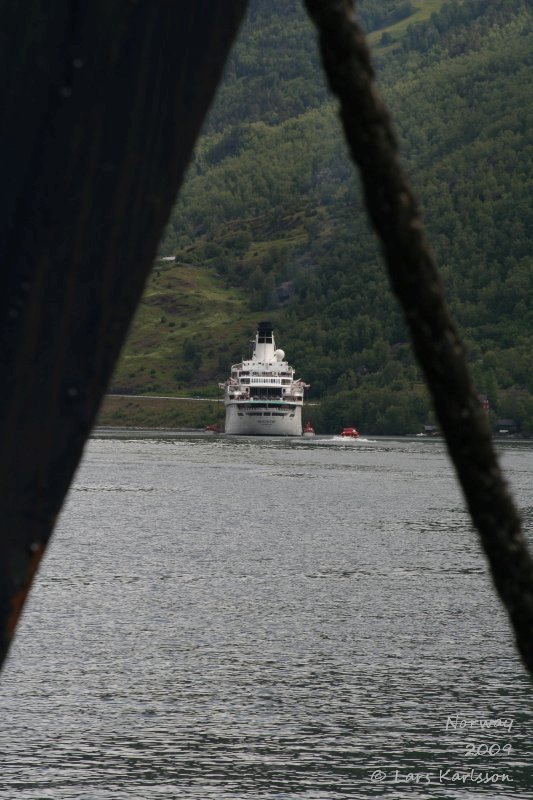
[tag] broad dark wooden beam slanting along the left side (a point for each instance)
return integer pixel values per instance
(102, 102)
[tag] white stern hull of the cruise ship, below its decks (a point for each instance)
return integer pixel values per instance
(247, 420)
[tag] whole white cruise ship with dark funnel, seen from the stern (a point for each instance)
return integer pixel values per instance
(261, 397)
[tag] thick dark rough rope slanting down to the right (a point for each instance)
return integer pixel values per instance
(415, 280)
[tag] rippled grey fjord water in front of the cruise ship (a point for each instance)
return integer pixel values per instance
(262, 618)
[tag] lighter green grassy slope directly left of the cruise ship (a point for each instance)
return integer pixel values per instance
(175, 341)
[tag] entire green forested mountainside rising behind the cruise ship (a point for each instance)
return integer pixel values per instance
(270, 221)
